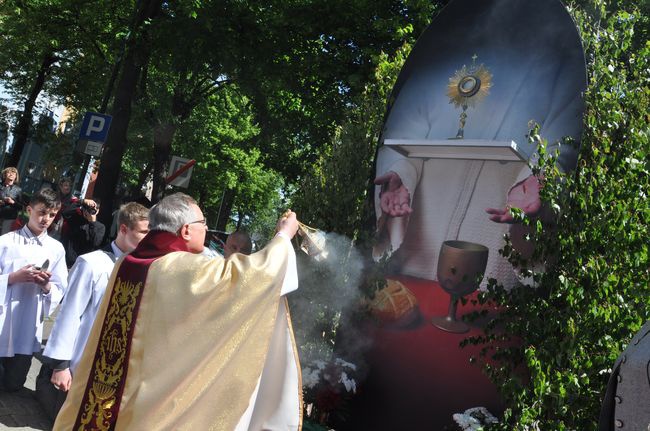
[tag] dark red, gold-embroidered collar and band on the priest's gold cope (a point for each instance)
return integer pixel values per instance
(100, 404)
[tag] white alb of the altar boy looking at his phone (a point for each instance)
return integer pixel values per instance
(23, 306)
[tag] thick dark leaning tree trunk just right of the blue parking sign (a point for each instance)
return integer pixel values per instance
(137, 55)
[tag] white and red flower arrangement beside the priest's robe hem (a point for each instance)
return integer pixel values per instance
(327, 387)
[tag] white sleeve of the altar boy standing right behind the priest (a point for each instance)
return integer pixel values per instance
(60, 345)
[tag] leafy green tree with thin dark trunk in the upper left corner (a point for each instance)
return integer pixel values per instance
(48, 46)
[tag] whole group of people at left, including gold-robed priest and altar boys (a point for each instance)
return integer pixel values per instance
(58, 259)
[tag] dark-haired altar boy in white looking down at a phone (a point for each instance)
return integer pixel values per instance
(33, 278)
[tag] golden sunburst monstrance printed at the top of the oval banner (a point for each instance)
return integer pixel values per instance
(467, 88)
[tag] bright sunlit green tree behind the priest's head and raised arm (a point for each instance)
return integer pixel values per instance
(229, 170)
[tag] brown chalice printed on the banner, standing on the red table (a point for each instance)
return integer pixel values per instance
(461, 266)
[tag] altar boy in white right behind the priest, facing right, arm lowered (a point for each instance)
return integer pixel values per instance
(86, 287)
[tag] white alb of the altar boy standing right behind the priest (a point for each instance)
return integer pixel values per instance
(86, 286)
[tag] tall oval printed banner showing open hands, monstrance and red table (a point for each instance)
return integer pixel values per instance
(454, 158)
